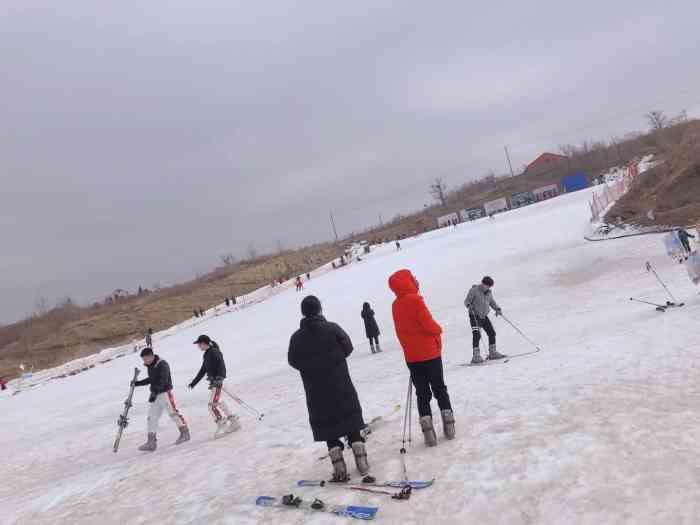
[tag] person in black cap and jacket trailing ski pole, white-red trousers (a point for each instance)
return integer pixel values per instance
(214, 367)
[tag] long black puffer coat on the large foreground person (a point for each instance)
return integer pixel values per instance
(318, 350)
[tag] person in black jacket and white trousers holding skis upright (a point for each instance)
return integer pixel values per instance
(161, 399)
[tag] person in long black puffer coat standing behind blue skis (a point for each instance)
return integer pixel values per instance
(318, 350)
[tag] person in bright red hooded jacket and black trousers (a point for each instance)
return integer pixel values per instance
(421, 339)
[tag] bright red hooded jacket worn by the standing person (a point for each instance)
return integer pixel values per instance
(419, 334)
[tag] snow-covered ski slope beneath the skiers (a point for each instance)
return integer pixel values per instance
(600, 427)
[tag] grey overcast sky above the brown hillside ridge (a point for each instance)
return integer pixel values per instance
(141, 140)
